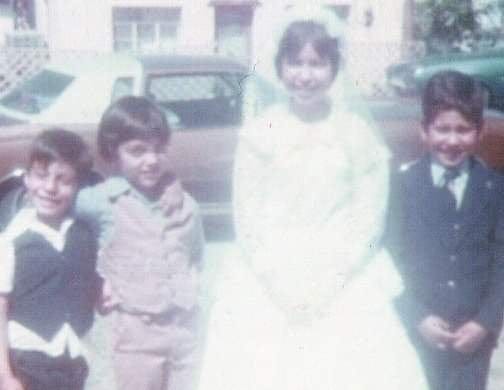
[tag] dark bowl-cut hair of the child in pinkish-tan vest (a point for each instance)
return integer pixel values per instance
(130, 117)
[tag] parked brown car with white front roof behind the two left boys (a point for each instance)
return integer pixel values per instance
(201, 95)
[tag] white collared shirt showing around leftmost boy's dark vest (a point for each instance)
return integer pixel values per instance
(19, 336)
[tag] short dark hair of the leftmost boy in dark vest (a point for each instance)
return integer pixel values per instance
(57, 144)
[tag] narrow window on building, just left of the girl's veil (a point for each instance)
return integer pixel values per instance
(233, 29)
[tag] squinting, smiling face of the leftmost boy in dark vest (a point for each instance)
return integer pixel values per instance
(52, 188)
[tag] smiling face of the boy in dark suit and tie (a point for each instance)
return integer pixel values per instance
(451, 138)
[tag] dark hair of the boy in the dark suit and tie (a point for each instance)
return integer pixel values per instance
(452, 90)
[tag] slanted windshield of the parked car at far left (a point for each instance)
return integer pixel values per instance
(37, 93)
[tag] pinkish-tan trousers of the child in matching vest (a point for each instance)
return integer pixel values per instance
(157, 353)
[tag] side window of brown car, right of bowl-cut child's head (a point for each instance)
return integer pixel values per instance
(198, 101)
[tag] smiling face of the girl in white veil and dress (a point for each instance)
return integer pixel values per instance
(307, 76)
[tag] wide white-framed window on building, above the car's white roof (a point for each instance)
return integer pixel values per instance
(145, 29)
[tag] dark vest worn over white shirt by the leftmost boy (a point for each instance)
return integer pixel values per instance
(51, 287)
